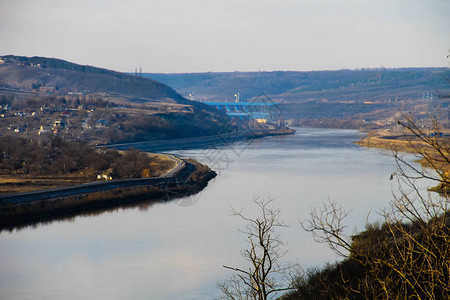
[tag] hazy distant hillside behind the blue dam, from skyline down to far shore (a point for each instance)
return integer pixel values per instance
(352, 98)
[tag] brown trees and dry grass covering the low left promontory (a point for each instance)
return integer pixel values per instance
(38, 164)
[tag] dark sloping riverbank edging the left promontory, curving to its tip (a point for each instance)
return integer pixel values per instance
(190, 180)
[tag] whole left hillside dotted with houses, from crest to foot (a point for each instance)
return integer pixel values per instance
(47, 97)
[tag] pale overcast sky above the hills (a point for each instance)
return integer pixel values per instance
(174, 36)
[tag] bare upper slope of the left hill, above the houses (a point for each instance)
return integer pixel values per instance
(34, 72)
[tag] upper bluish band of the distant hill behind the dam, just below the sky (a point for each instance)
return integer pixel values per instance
(342, 85)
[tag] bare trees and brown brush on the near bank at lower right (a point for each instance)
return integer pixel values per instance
(404, 256)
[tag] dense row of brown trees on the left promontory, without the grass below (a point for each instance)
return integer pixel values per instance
(48, 157)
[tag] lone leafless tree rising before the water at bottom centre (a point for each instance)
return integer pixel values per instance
(265, 276)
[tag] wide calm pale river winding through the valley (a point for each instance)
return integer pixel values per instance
(176, 250)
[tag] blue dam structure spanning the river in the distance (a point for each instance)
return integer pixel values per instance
(248, 110)
